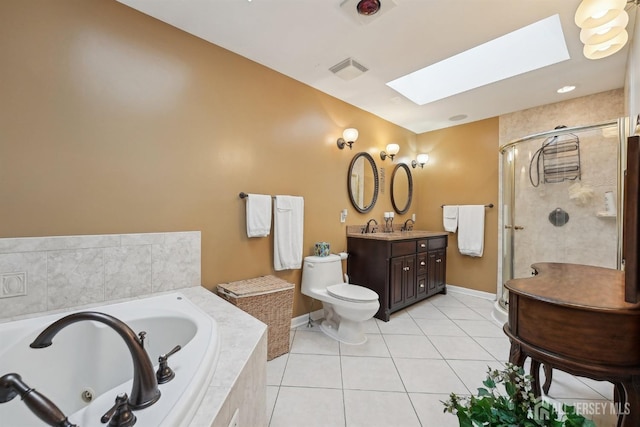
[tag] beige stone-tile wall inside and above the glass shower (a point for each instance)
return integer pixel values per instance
(586, 238)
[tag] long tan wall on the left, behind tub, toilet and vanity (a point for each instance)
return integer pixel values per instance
(113, 122)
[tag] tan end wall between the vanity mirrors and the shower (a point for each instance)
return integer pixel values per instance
(462, 170)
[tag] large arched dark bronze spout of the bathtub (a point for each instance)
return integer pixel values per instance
(144, 391)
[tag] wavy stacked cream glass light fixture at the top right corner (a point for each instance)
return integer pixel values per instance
(602, 24)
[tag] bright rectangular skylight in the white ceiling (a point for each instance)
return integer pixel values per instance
(529, 48)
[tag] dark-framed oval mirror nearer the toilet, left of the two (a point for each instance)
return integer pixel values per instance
(362, 182)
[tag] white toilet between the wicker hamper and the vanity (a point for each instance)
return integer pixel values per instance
(346, 306)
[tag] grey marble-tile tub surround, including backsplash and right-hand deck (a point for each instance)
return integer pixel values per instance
(171, 262)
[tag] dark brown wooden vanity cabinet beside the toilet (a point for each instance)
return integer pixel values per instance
(401, 271)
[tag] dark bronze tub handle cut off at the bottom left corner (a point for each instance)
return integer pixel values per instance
(12, 385)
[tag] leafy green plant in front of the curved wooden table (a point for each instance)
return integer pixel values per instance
(517, 408)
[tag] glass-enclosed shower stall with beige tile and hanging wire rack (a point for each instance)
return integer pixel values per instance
(561, 200)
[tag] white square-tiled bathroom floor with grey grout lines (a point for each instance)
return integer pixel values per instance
(403, 371)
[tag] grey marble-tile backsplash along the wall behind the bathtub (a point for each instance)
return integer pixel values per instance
(47, 273)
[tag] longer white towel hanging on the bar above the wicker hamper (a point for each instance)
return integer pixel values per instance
(288, 224)
